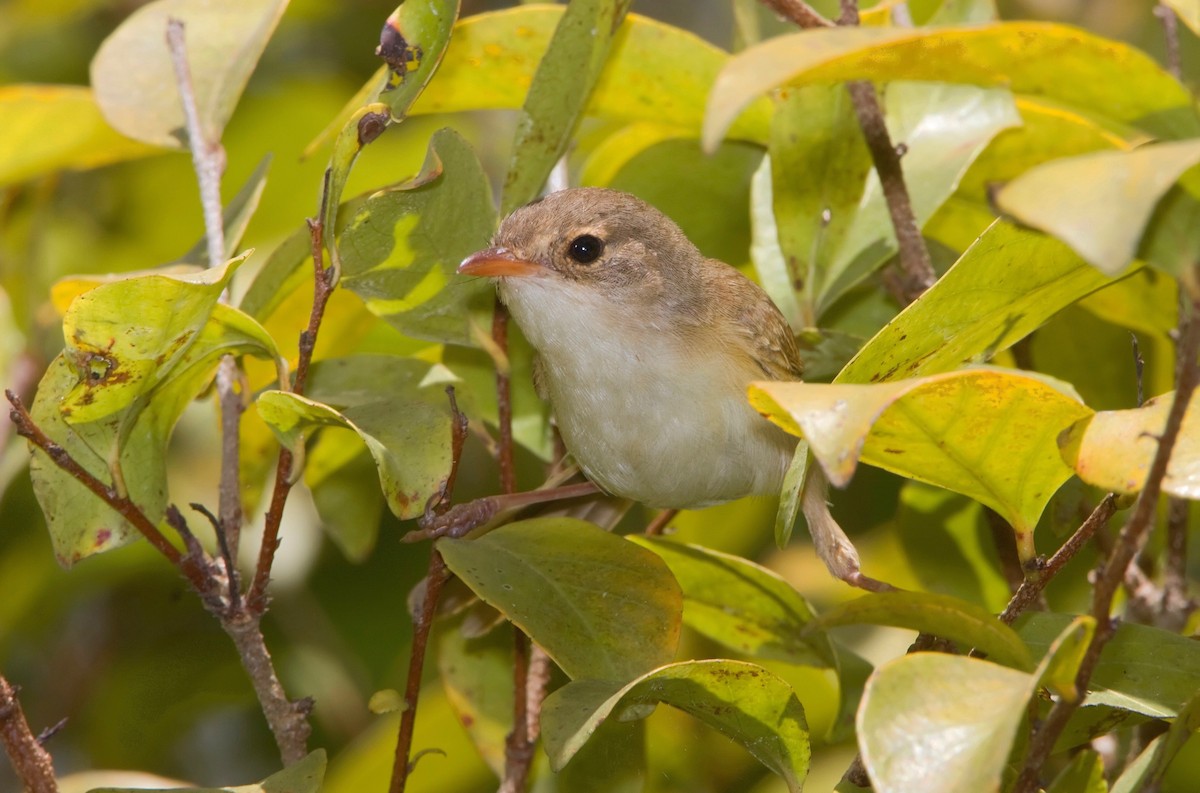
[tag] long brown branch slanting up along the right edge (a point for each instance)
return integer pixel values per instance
(1130, 543)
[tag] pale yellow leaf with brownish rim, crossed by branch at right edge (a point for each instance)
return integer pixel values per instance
(1114, 449)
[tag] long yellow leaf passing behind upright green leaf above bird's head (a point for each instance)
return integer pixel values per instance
(511, 44)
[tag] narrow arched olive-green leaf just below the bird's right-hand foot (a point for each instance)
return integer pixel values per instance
(969, 626)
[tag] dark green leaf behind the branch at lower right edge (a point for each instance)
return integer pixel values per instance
(1144, 670)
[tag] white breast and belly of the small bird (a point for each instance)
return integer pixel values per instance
(645, 417)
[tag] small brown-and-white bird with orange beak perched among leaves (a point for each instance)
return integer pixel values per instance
(645, 352)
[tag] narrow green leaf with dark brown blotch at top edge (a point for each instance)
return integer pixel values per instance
(424, 31)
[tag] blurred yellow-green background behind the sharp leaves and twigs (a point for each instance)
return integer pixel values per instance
(118, 646)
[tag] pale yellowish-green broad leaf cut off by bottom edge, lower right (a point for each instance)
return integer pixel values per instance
(939, 723)
